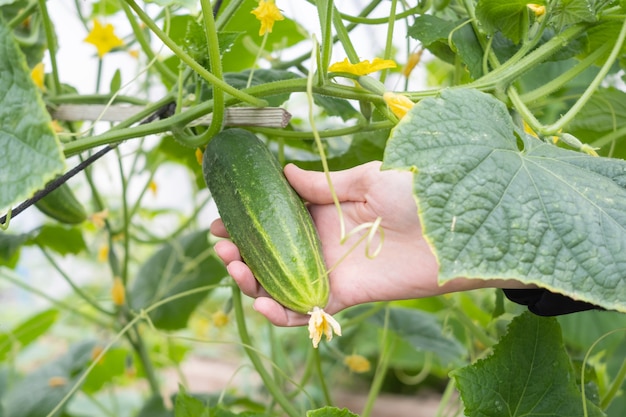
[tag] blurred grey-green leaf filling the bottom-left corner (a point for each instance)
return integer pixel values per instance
(42, 390)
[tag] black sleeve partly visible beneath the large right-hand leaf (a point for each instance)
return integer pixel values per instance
(545, 303)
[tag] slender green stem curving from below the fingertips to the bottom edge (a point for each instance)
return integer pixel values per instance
(277, 393)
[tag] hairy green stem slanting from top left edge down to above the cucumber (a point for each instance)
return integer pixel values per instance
(187, 59)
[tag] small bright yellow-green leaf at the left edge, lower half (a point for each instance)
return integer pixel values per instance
(26, 332)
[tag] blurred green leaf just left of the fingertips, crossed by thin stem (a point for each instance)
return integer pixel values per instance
(185, 264)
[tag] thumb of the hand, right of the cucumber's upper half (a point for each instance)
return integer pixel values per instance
(350, 185)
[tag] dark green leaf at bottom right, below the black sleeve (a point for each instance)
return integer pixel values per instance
(528, 374)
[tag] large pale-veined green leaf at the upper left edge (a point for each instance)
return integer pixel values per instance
(31, 152)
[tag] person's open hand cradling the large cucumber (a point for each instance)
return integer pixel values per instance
(405, 268)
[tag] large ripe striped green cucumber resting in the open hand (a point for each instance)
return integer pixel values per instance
(266, 219)
